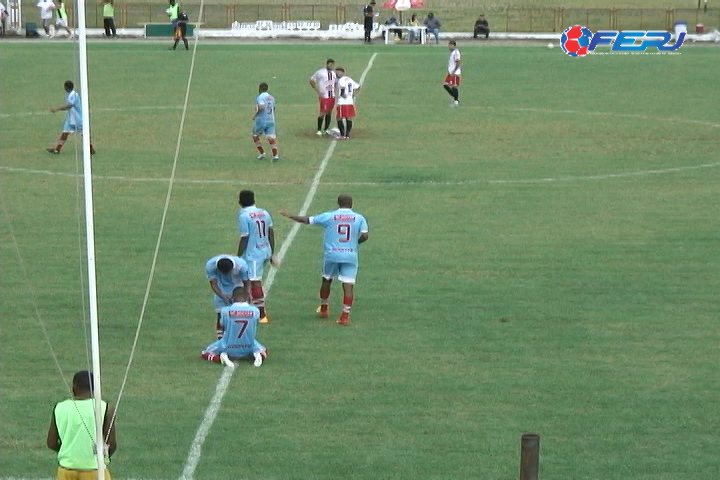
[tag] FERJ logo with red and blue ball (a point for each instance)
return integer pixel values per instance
(578, 41)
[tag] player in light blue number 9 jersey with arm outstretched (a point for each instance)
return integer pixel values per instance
(345, 229)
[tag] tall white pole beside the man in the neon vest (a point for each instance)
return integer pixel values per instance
(90, 240)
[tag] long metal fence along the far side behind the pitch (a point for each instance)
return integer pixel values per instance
(457, 19)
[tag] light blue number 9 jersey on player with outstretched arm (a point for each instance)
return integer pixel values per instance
(342, 232)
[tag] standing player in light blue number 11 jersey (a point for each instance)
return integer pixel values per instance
(256, 247)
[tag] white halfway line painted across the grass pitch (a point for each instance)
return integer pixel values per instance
(222, 386)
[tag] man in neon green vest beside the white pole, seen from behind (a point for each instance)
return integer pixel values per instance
(72, 432)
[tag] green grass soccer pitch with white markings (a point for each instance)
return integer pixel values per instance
(542, 259)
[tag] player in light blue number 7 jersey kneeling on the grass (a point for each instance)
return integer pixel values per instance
(239, 323)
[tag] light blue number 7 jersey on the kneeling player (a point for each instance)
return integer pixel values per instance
(239, 322)
